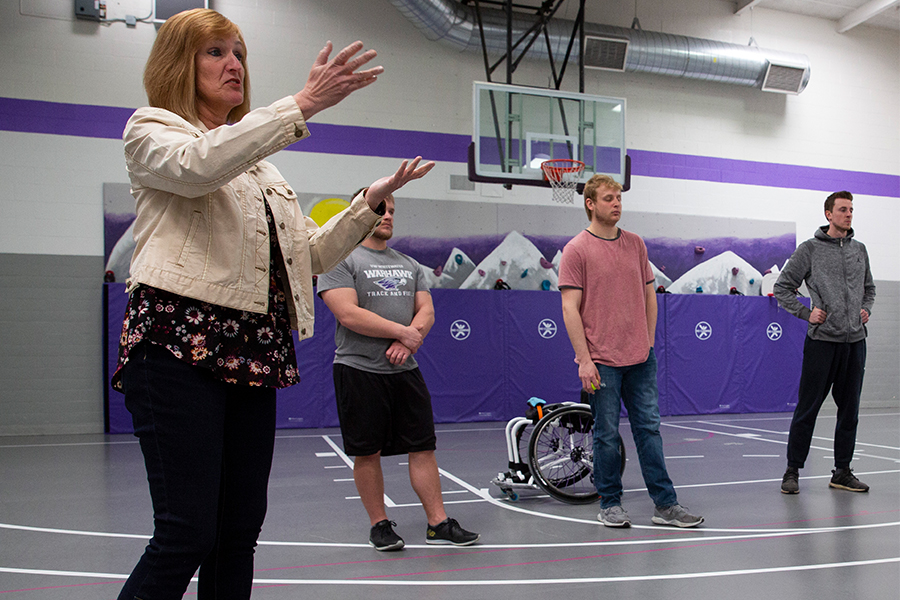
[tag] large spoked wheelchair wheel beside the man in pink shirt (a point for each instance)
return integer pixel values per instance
(561, 455)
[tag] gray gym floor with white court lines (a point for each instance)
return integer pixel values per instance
(75, 515)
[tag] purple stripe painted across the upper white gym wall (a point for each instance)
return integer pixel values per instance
(34, 116)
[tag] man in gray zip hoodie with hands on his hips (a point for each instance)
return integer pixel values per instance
(836, 270)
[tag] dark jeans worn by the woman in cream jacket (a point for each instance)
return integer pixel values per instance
(207, 448)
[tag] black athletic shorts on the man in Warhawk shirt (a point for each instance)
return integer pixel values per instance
(383, 412)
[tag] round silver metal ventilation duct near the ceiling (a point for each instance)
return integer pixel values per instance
(616, 48)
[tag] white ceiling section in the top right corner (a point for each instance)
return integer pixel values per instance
(845, 13)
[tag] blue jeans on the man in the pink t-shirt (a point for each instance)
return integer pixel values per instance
(636, 386)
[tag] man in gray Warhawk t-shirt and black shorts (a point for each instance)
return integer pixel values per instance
(383, 309)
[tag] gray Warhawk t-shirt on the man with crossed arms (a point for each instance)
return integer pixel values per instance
(386, 282)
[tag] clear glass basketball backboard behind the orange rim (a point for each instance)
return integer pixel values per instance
(516, 128)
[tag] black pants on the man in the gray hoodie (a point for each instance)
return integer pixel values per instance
(834, 366)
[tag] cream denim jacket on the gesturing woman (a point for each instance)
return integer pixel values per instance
(201, 227)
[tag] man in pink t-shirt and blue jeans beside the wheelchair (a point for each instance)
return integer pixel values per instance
(609, 307)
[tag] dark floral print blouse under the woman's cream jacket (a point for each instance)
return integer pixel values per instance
(237, 346)
